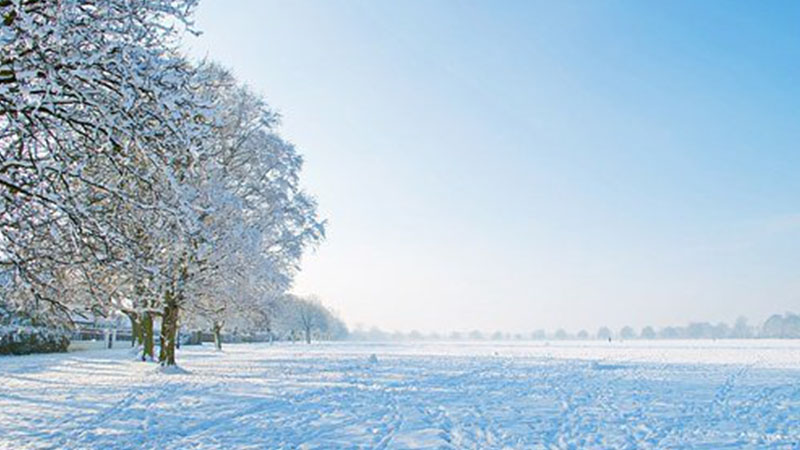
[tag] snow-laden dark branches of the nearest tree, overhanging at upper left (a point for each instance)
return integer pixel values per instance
(94, 105)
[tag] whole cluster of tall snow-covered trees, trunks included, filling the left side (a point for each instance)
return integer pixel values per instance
(134, 180)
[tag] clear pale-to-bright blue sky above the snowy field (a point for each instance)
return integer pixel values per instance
(503, 165)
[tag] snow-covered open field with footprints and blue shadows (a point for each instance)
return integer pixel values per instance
(657, 394)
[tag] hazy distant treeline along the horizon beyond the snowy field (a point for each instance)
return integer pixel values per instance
(786, 326)
